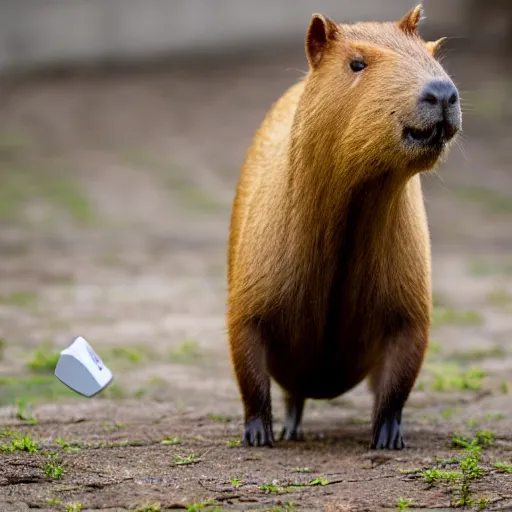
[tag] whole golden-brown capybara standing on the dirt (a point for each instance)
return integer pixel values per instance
(329, 253)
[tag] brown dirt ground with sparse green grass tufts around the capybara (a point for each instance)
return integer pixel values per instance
(114, 207)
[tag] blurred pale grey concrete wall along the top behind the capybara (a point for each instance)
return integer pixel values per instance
(35, 33)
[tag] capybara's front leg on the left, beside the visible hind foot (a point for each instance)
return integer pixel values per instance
(249, 361)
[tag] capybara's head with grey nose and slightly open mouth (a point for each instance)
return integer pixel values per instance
(377, 94)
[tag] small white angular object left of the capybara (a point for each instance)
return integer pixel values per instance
(82, 370)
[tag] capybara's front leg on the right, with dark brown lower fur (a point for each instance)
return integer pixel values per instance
(392, 381)
